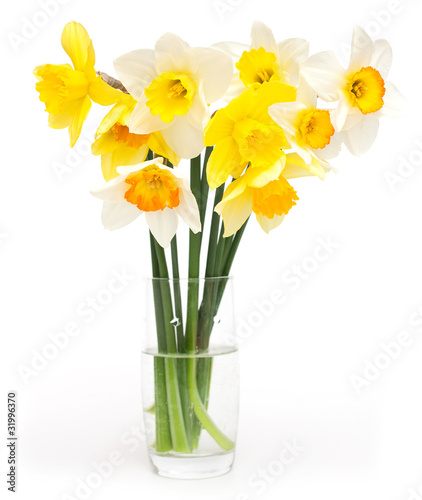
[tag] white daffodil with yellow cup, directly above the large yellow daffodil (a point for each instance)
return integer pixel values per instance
(264, 60)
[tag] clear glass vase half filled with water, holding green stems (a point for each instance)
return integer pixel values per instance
(190, 377)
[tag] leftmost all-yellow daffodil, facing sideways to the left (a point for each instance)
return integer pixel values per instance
(67, 91)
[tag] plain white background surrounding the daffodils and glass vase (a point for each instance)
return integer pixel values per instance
(296, 366)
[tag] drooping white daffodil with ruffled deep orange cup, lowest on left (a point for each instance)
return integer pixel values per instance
(160, 192)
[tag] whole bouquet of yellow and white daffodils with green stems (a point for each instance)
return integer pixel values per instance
(251, 119)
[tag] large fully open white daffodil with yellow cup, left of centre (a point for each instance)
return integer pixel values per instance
(173, 85)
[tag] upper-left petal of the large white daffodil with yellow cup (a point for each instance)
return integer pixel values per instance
(136, 70)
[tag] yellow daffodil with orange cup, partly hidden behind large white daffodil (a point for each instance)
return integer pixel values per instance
(119, 147)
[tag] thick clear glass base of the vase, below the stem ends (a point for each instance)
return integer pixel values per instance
(192, 466)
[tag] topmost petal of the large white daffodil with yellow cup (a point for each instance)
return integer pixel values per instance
(174, 54)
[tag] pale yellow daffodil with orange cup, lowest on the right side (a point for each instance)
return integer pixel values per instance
(270, 201)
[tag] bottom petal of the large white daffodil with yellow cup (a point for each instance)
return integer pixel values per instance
(183, 138)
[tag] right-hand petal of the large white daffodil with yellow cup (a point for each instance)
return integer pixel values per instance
(216, 71)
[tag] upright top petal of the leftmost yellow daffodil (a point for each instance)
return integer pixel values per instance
(78, 46)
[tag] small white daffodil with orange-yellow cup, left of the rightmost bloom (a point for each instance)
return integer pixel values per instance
(308, 130)
